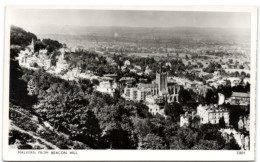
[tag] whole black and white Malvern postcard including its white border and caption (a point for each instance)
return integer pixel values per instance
(112, 79)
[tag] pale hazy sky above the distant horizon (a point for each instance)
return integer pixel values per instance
(26, 18)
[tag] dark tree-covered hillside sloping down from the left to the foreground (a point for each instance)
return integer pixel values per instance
(48, 111)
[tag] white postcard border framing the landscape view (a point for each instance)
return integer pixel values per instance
(99, 155)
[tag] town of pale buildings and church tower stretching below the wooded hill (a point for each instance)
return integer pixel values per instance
(207, 94)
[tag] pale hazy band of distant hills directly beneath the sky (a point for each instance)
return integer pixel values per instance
(79, 29)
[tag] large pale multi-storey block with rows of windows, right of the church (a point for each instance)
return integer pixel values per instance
(212, 114)
